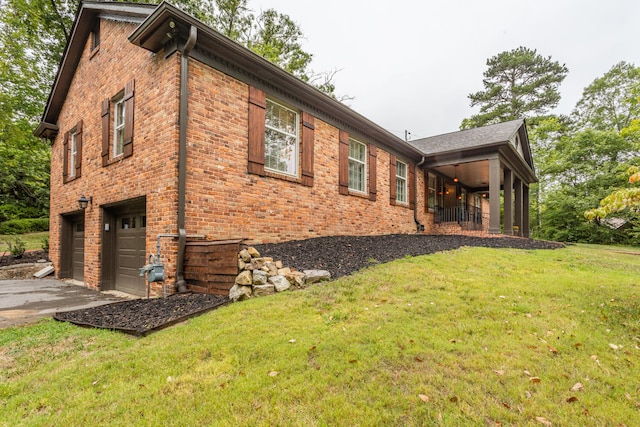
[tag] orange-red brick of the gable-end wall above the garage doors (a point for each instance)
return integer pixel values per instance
(150, 172)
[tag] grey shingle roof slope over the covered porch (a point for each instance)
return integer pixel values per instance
(471, 138)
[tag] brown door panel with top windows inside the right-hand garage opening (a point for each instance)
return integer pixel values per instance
(130, 253)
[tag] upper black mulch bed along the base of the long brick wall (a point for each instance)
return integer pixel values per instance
(342, 255)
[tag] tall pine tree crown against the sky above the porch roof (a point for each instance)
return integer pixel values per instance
(518, 83)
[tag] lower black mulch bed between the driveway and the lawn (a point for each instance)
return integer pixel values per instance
(141, 316)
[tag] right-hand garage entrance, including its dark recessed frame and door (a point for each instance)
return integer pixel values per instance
(124, 240)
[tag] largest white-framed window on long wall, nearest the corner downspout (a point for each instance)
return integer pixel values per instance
(281, 139)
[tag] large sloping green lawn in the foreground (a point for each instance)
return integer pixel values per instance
(470, 337)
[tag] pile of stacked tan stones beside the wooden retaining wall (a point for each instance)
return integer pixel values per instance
(260, 276)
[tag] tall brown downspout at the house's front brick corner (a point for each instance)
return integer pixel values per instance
(181, 284)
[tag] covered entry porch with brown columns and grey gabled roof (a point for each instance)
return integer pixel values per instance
(479, 178)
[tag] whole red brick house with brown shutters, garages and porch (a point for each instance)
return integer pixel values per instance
(167, 130)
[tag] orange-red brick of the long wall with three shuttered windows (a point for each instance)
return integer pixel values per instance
(225, 201)
